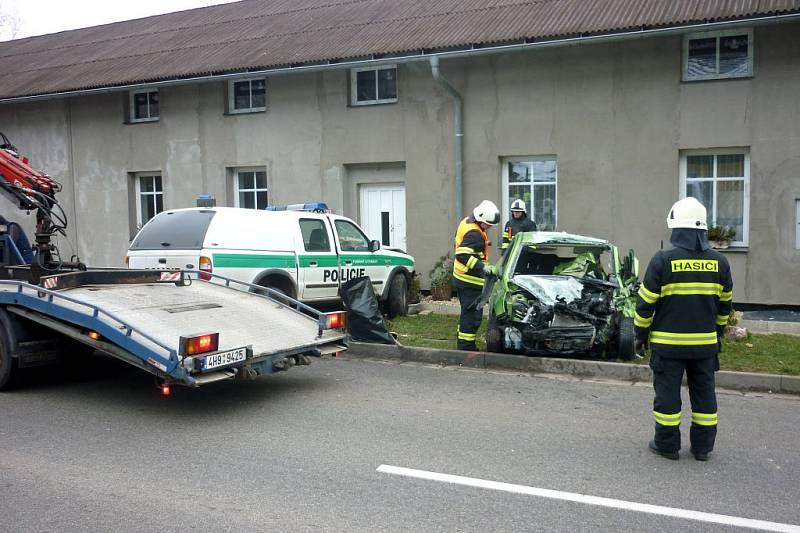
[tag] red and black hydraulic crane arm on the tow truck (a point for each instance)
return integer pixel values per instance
(33, 190)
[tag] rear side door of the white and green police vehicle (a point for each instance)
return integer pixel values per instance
(318, 262)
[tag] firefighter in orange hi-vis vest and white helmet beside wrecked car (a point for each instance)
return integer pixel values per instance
(471, 267)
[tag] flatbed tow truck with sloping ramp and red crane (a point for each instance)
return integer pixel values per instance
(184, 327)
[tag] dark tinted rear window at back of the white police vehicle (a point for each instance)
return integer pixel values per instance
(174, 230)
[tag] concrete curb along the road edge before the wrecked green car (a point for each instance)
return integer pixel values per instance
(742, 381)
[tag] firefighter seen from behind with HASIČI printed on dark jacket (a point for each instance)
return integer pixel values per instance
(681, 311)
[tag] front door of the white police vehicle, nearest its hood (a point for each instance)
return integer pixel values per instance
(356, 259)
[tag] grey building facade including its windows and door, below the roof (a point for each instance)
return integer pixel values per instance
(598, 138)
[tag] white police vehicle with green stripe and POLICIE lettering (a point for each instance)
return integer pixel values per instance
(304, 252)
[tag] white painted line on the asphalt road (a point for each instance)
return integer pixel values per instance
(592, 500)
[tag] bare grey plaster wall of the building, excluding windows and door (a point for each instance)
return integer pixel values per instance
(616, 116)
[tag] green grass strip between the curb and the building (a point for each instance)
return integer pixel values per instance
(772, 354)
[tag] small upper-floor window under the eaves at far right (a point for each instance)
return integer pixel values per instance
(718, 55)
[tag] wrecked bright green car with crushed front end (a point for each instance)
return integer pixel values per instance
(558, 293)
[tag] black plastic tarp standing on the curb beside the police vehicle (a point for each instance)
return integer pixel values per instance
(364, 319)
